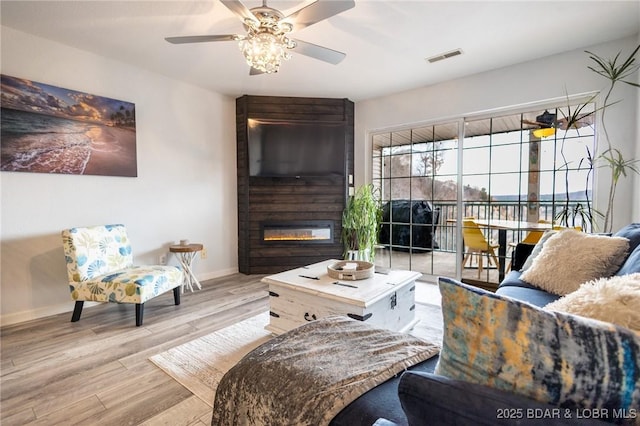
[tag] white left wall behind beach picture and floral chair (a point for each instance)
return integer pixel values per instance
(186, 184)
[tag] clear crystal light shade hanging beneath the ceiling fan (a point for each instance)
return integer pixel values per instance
(264, 51)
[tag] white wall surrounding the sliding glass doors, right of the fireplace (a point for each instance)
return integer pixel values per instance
(531, 82)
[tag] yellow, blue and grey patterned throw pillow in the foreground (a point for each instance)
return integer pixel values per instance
(568, 361)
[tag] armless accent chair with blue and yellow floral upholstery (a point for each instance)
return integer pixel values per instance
(100, 268)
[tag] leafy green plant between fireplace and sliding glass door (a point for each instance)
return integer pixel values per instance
(361, 225)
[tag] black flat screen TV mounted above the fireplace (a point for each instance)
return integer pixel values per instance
(296, 148)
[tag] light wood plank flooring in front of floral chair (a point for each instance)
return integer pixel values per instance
(97, 371)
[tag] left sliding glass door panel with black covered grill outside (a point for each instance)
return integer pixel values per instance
(415, 174)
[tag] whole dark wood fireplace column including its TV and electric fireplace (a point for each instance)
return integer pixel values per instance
(291, 206)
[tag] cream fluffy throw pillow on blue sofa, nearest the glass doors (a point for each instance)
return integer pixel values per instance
(570, 258)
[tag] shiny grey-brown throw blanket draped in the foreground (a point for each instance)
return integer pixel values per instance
(308, 375)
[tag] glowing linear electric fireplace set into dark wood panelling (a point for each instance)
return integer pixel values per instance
(298, 232)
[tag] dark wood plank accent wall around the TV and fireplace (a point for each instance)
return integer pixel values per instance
(262, 199)
